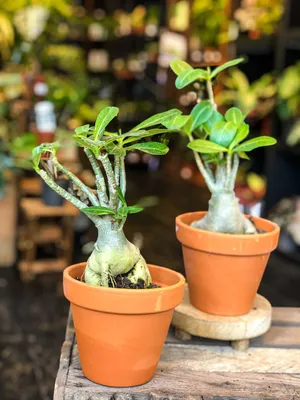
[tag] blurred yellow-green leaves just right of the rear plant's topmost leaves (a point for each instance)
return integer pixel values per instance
(257, 99)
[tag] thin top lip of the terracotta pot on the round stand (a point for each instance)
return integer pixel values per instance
(198, 214)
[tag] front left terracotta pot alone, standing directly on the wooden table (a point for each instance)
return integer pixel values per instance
(121, 332)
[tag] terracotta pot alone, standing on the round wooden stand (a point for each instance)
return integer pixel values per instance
(224, 271)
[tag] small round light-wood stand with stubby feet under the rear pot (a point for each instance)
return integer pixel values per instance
(190, 321)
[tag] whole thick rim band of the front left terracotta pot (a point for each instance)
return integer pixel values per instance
(125, 301)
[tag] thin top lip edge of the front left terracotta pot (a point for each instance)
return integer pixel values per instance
(117, 291)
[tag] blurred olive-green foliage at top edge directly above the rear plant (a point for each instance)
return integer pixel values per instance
(210, 21)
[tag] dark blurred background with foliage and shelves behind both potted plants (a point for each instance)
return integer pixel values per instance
(62, 61)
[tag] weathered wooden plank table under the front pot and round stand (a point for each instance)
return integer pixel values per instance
(203, 369)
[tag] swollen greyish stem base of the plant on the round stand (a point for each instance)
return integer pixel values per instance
(224, 215)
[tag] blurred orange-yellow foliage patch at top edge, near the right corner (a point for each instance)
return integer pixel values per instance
(259, 16)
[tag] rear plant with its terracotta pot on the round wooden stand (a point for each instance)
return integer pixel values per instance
(225, 252)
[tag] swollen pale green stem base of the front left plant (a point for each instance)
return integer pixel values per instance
(113, 255)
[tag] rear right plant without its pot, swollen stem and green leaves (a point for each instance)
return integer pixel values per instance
(217, 152)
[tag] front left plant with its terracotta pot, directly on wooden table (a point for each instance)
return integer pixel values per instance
(121, 307)
